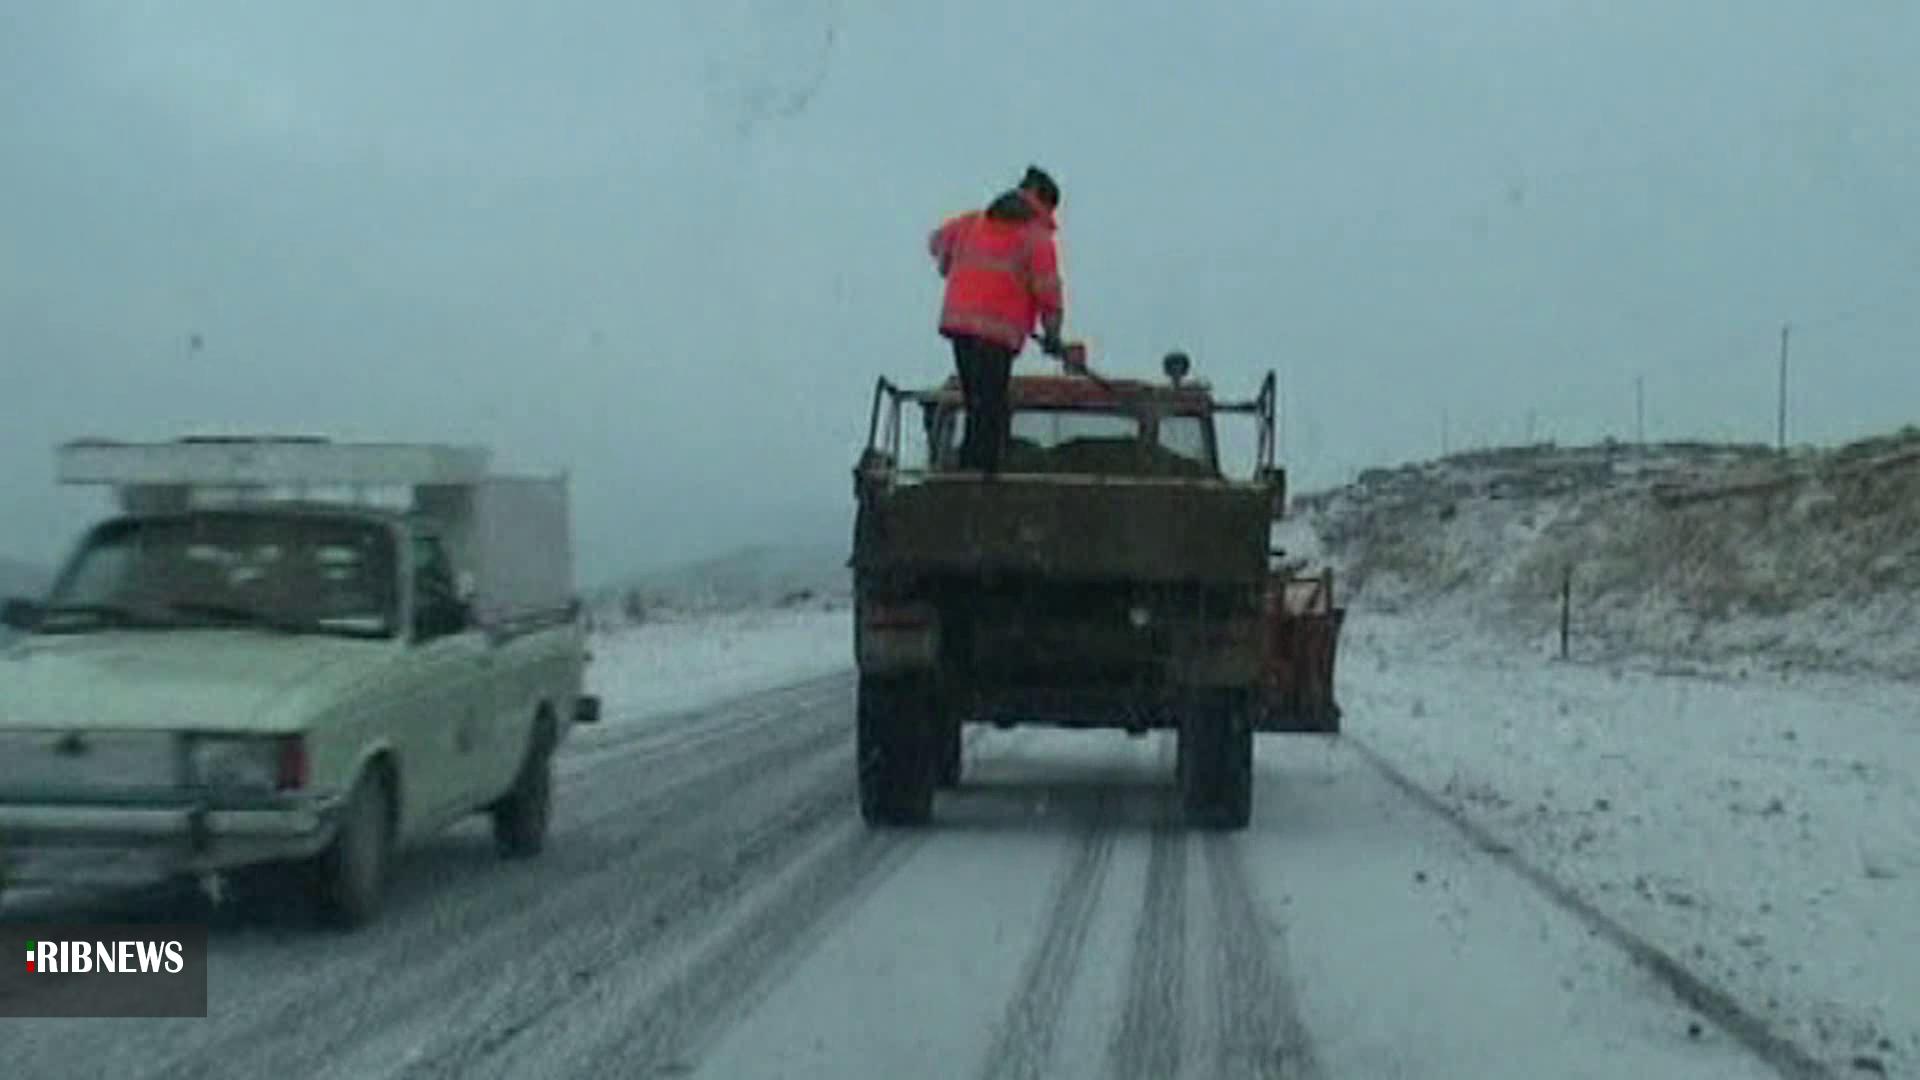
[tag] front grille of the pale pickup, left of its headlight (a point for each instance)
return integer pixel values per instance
(66, 764)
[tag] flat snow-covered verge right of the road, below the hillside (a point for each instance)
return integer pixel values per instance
(1762, 831)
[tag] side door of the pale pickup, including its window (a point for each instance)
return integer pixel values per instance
(454, 679)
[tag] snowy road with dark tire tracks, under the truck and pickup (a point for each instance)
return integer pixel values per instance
(711, 906)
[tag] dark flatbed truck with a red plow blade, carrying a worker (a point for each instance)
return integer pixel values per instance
(1111, 576)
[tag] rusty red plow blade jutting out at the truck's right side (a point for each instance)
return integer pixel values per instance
(1297, 672)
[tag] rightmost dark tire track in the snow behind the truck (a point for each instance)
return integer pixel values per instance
(1259, 1023)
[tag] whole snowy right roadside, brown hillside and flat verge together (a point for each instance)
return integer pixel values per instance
(1731, 762)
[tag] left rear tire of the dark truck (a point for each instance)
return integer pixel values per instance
(898, 750)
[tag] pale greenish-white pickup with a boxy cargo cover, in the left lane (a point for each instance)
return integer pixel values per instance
(287, 660)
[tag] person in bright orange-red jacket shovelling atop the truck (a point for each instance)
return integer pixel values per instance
(1003, 274)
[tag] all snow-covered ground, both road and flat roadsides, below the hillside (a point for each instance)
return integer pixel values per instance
(709, 902)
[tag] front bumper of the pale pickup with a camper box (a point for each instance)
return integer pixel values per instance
(107, 845)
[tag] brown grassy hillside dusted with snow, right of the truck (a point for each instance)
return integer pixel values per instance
(1685, 552)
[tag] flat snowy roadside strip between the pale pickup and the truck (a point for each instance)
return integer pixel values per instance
(677, 664)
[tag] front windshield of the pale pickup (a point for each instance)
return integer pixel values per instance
(279, 574)
